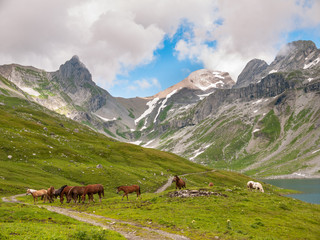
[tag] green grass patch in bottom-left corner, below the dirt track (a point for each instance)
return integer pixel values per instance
(20, 221)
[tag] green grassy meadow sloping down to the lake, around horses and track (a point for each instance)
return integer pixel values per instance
(39, 148)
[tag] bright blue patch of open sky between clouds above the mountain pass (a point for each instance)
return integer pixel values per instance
(166, 68)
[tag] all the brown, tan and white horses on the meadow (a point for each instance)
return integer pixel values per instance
(78, 193)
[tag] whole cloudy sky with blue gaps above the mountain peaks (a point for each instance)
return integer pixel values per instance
(140, 47)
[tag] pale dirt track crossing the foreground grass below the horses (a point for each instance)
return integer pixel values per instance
(129, 230)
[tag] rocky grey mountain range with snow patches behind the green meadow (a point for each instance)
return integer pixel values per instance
(266, 124)
